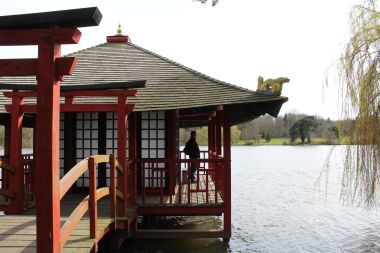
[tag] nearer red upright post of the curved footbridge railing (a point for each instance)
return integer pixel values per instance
(92, 200)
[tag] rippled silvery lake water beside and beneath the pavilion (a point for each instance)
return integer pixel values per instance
(275, 208)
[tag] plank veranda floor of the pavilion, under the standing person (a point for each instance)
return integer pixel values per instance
(198, 196)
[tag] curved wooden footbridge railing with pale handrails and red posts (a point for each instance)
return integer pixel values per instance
(90, 202)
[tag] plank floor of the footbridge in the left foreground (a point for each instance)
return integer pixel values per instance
(18, 232)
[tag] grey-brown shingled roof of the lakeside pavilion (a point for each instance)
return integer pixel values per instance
(170, 85)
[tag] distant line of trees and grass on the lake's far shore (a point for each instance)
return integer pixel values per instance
(295, 127)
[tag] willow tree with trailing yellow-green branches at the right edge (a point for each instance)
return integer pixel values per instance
(360, 90)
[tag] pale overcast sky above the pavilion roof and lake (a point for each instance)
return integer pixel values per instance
(235, 41)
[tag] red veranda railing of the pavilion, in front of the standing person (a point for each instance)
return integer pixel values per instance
(160, 176)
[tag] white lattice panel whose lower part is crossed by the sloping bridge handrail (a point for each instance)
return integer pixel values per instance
(86, 141)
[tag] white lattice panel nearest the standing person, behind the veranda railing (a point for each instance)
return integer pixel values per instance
(153, 145)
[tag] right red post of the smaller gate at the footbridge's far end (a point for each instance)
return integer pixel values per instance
(121, 149)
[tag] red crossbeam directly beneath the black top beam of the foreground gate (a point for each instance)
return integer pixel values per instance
(19, 37)
